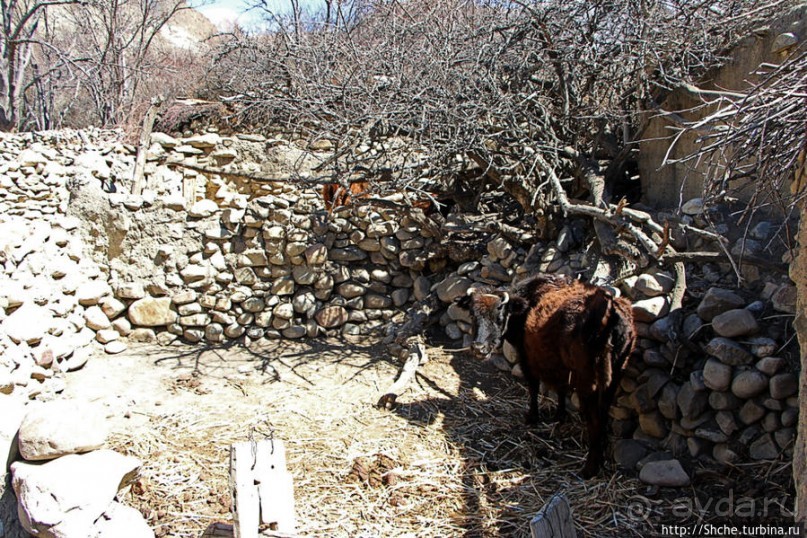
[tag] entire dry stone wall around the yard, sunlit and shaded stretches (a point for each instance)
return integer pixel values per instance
(207, 258)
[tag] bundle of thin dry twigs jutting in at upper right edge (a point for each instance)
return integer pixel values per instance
(753, 136)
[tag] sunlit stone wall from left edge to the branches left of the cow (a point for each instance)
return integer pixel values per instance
(91, 264)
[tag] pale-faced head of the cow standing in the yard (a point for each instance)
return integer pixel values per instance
(490, 310)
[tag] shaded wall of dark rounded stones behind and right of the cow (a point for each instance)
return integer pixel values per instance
(718, 393)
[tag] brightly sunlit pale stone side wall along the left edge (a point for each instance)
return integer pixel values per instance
(50, 289)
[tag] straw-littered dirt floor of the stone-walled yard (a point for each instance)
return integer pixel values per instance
(454, 458)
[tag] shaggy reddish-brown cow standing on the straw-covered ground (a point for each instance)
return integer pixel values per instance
(568, 334)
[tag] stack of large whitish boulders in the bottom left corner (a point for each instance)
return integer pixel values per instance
(66, 484)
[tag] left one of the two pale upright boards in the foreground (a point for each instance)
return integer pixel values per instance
(245, 500)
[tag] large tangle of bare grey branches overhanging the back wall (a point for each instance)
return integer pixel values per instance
(544, 101)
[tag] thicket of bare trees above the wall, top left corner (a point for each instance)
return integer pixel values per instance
(80, 62)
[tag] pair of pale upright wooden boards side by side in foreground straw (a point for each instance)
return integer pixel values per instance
(262, 489)
